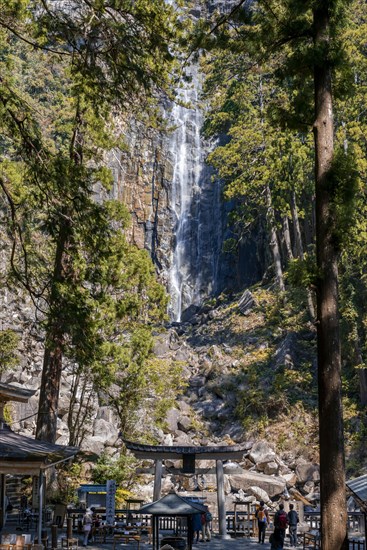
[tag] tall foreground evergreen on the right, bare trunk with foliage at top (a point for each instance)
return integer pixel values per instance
(304, 41)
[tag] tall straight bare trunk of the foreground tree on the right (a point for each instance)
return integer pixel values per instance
(332, 466)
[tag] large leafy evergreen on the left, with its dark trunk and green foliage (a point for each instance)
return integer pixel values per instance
(93, 290)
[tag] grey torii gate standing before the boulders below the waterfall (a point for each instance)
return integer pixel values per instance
(189, 456)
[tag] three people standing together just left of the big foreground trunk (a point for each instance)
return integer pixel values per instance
(282, 520)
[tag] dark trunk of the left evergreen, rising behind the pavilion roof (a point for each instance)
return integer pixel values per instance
(54, 345)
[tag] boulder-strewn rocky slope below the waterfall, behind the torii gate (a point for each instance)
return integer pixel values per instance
(221, 347)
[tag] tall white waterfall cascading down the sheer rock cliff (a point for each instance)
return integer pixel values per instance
(195, 205)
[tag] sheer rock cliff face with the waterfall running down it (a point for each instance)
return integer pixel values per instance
(176, 205)
